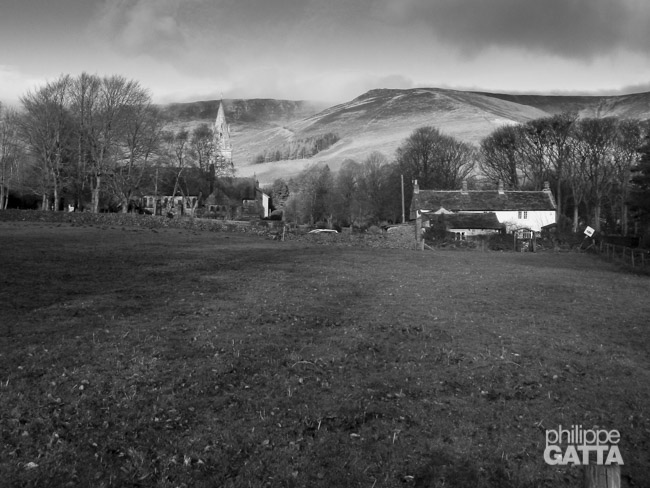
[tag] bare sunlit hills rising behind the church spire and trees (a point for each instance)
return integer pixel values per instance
(381, 119)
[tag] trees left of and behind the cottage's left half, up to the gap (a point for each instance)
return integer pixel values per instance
(370, 192)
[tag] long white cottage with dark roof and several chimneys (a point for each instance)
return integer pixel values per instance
(513, 209)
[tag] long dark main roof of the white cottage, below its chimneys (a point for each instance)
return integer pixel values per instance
(485, 200)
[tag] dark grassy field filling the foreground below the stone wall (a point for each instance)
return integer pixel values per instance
(133, 357)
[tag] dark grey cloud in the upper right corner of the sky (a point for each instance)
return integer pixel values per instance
(579, 29)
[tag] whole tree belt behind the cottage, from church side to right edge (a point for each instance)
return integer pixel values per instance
(592, 164)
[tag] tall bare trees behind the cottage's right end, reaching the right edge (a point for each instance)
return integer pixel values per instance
(589, 161)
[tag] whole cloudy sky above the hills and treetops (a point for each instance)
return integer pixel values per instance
(328, 50)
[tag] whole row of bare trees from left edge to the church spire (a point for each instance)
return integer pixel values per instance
(99, 142)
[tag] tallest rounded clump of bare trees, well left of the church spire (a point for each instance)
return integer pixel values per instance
(87, 136)
